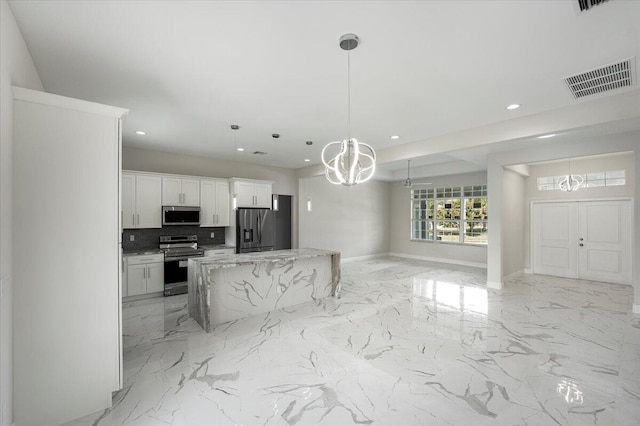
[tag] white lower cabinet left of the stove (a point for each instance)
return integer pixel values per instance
(145, 274)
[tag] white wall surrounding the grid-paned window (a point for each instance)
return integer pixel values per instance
(400, 225)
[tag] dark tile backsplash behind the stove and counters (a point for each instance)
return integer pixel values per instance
(148, 239)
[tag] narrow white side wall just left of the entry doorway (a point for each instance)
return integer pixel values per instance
(513, 228)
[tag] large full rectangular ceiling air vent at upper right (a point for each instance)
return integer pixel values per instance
(609, 77)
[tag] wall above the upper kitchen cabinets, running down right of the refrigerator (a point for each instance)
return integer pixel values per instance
(147, 160)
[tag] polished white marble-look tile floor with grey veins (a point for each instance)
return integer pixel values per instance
(408, 343)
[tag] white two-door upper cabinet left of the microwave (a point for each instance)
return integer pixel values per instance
(141, 201)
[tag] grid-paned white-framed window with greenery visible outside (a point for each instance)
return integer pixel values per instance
(454, 214)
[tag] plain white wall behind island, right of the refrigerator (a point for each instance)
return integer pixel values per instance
(352, 220)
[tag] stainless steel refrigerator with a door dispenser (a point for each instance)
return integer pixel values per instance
(255, 230)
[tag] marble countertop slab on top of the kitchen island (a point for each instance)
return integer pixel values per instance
(231, 260)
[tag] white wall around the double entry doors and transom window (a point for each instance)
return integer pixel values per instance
(619, 161)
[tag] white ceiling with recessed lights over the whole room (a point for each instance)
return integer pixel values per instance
(423, 70)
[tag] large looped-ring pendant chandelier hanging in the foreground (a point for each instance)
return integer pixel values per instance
(354, 162)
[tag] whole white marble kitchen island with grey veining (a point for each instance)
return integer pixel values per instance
(229, 287)
